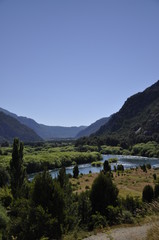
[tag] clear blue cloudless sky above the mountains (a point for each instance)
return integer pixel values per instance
(71, 62)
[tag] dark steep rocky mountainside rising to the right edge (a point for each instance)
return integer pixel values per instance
(138, 119)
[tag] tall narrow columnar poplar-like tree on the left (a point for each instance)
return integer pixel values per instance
(17, 171)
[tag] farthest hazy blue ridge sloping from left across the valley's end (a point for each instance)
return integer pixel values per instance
(44, 131)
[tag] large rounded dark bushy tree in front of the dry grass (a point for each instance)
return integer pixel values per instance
(103, 193)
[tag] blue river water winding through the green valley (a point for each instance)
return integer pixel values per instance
(127, 161)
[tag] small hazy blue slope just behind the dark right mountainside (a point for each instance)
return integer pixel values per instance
(94, 127)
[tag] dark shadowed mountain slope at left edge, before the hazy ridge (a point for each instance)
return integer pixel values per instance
(11, 128)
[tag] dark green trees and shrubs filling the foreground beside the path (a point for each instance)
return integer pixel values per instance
(48, 208)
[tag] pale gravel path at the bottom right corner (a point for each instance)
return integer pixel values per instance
(124, 233)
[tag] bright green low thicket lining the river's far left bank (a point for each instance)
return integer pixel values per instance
(38, 157)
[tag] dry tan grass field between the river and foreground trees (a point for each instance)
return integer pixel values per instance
(130, 182)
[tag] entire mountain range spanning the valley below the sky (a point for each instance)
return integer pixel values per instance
(136, 121)
